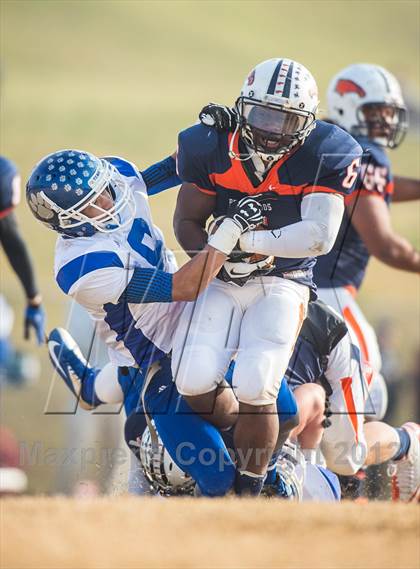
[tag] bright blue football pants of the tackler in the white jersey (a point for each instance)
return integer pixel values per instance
(195, 445)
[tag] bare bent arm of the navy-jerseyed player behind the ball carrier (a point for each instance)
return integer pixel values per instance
(371, 219)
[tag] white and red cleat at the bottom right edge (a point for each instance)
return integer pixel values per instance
(406, 472)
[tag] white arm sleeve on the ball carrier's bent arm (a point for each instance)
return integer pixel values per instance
(314, 235)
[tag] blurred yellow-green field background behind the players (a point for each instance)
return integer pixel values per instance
(124, 77)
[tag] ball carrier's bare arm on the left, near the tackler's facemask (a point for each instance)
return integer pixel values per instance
(192, 210)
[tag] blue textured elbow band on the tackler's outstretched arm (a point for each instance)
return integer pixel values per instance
(148, 285)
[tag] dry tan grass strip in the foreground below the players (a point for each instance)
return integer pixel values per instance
(56, 533)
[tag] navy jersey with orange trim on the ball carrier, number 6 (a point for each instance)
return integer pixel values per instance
(328, 161)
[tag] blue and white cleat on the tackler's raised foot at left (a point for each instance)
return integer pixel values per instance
(70, 364)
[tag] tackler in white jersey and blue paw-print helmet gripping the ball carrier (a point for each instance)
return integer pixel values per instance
(112, 260)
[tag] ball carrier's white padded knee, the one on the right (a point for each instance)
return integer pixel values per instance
(255, 381)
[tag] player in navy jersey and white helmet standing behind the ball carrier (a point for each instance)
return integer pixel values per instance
(366, 101)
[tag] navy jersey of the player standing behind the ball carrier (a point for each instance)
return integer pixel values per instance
(346, 263)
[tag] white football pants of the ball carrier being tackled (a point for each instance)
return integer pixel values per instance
(259, 322)
